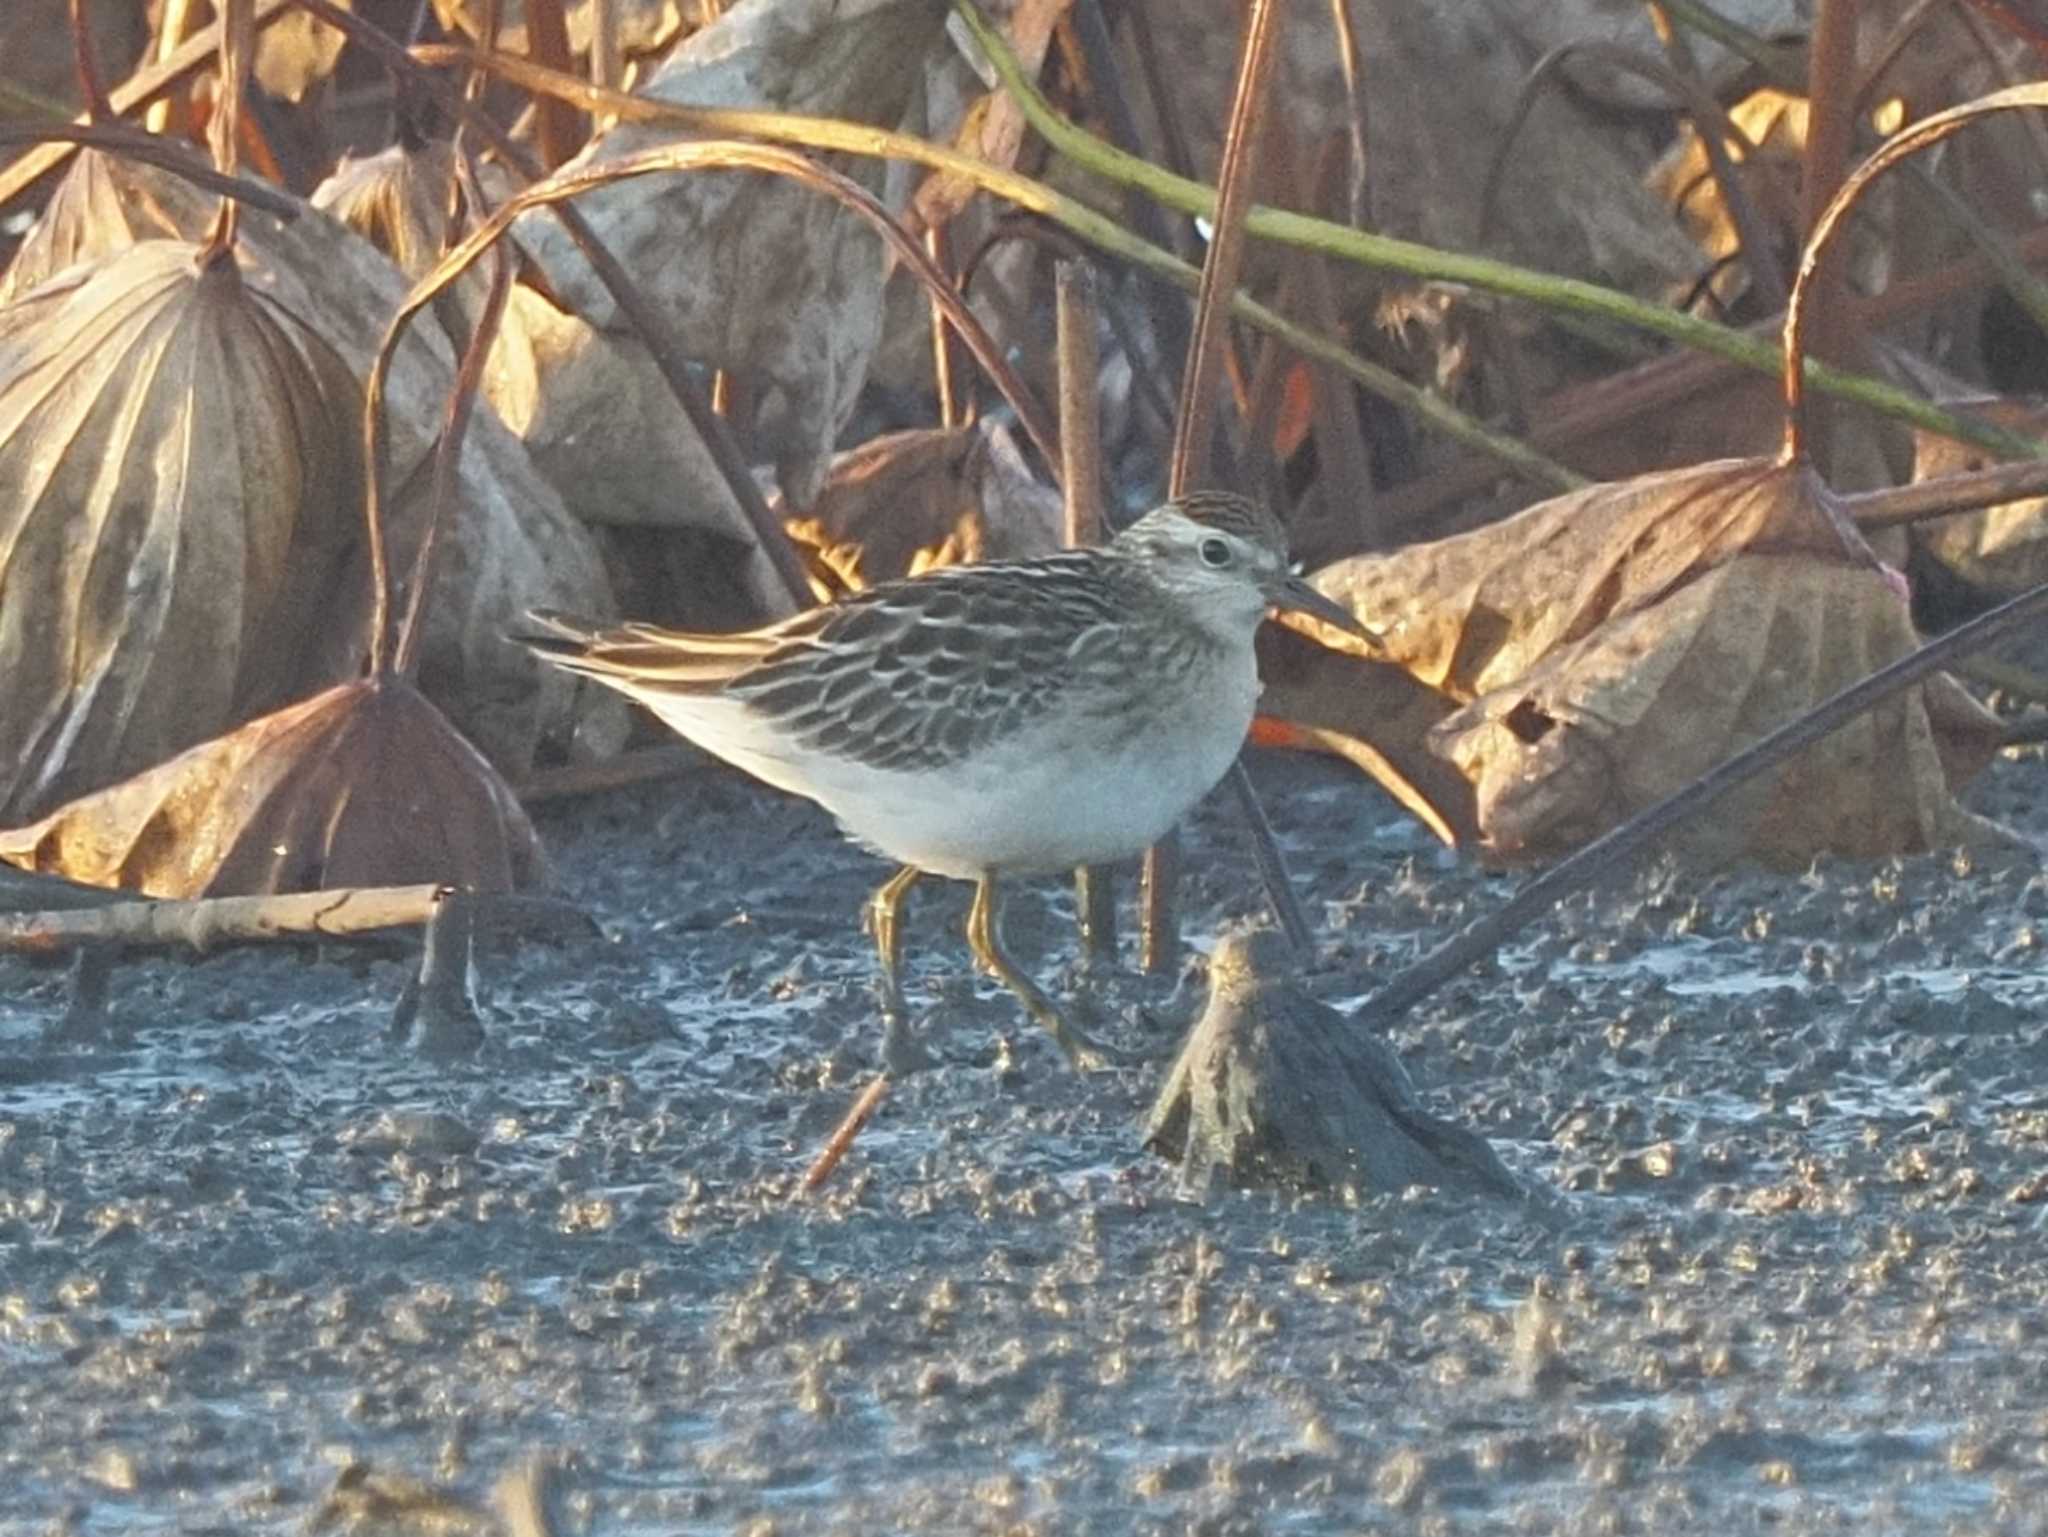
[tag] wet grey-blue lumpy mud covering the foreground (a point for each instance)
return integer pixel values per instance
(263, 1270)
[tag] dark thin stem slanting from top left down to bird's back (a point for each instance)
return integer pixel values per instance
(656, 331)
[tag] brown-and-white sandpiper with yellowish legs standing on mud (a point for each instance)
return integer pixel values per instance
(1011, 718)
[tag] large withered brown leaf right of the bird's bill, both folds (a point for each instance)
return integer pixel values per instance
(1617, 642)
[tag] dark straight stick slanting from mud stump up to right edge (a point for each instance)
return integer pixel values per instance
(1619, 847)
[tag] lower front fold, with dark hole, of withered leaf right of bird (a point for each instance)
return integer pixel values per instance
(1615, 722)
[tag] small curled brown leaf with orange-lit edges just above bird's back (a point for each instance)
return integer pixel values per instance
(912, 501)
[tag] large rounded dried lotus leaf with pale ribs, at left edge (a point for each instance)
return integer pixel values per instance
(171, 497)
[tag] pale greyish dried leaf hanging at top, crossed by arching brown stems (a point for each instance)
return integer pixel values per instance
(765, 278)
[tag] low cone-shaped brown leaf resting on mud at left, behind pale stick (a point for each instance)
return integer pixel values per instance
(359, 786)
